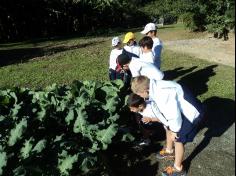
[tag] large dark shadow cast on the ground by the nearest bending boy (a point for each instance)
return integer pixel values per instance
(220, 116)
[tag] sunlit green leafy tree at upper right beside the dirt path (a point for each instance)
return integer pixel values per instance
(215, 16)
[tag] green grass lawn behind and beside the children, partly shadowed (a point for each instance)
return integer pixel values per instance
(37, 64)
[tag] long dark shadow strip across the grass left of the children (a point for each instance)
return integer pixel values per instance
(21, 55)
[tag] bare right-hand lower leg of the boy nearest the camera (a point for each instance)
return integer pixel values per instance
(179, 155)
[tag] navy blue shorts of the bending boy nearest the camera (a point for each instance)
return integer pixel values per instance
(189, 130)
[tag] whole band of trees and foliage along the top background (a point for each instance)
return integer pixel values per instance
(20, 20)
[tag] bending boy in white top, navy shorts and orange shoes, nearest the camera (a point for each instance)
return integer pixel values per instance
(177, 110)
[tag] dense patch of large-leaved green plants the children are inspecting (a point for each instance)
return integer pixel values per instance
(60, 129)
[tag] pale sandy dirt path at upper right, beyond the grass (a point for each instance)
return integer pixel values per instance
(208, 48)
